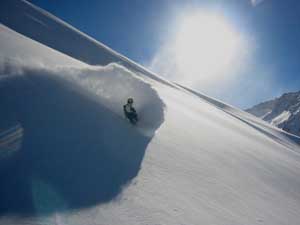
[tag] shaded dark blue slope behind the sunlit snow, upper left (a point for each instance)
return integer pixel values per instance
(39, 25)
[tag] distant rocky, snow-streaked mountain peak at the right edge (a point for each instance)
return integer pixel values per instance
(283, 112)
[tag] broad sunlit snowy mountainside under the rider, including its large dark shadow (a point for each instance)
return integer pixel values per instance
(191, 160)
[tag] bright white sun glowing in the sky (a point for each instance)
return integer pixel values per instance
(206, 46)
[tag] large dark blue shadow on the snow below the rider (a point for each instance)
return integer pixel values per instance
(75, 153)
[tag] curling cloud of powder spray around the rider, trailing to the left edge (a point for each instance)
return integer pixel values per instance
(109, 85)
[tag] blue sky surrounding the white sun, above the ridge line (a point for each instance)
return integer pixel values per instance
(140, 29)
